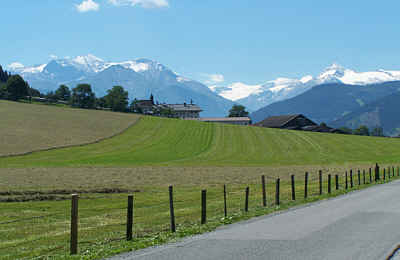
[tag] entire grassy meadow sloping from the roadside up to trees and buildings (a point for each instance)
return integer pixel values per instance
(144, 160)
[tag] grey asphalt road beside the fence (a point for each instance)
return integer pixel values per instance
(360, 225)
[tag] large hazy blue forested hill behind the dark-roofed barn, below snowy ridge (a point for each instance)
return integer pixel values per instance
(328, 102)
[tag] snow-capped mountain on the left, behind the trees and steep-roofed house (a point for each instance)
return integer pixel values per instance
(140, 77)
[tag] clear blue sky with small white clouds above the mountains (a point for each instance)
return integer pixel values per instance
(248, 41)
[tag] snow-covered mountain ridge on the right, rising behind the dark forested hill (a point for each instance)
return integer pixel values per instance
(257, 96)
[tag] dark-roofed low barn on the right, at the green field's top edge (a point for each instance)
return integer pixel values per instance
(296, 122)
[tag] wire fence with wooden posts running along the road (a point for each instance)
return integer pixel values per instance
(105, 220)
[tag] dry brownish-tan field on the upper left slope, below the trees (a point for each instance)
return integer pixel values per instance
(26, 127)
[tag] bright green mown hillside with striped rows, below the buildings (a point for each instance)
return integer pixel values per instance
(171, 142)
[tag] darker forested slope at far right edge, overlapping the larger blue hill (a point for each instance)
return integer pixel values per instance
(383, 113)
